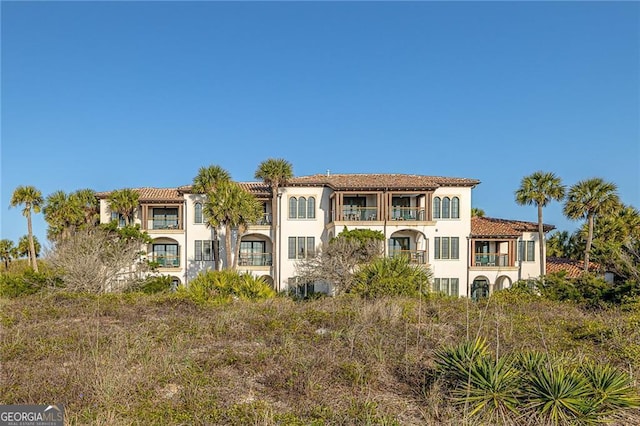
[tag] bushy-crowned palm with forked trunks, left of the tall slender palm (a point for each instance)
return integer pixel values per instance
(232, 207)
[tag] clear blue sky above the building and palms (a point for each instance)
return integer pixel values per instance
(107, 95)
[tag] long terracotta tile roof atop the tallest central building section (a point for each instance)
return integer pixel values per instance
(380, 181)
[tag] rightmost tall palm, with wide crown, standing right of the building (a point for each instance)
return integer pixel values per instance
(588, 199)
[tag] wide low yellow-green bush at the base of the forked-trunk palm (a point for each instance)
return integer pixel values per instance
(226, 285)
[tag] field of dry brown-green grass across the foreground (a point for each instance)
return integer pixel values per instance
(134, 359)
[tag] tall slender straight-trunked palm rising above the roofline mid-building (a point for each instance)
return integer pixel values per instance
(275, 172)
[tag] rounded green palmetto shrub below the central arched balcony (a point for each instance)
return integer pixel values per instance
(391, 277)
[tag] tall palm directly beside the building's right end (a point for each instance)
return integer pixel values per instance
(540, 188)
